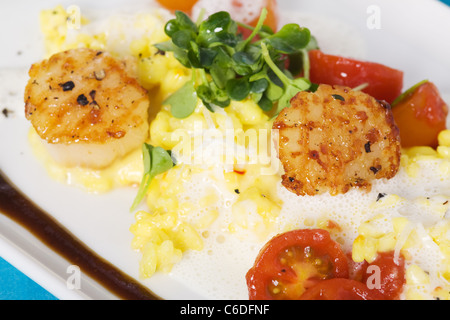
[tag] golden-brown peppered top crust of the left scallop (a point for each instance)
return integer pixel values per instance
(83, 94)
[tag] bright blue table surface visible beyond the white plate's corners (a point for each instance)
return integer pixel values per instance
(14, 285)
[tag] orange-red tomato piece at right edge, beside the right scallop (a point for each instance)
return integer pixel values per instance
(420, 115)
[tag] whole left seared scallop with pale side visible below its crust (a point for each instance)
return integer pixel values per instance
(87, 106)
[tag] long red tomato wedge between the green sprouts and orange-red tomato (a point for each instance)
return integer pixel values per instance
(384, 83)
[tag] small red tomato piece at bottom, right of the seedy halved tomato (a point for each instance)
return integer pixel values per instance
(388, 276)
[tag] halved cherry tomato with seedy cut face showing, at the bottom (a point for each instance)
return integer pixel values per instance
(294, 261)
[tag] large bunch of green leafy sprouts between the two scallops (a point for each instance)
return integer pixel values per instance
(233, 68)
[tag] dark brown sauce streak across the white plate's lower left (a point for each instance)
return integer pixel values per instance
(17, 207)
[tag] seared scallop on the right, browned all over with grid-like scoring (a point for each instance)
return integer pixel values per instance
(335, 139)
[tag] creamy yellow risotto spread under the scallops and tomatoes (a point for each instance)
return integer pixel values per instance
(187, 207)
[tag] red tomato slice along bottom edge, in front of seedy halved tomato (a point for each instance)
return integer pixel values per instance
(341, 289)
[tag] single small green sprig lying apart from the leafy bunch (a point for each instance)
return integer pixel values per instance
(156, 161)
